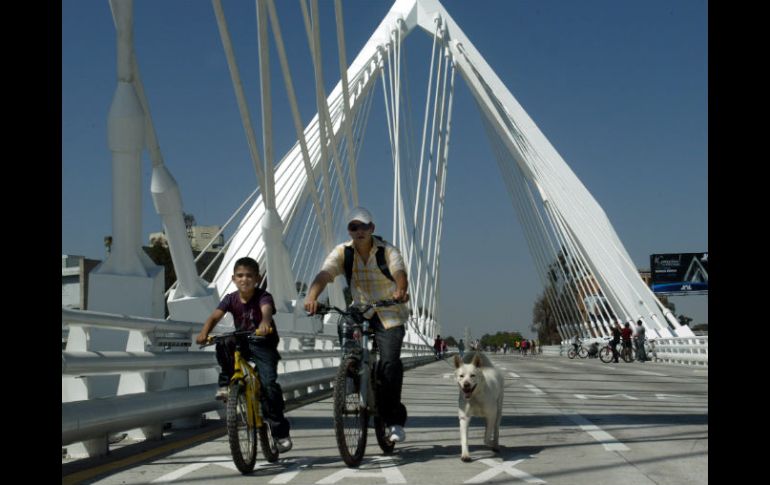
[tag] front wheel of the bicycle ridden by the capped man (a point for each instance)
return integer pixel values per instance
(350, 419)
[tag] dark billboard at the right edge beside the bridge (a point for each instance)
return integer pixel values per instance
(679, 272)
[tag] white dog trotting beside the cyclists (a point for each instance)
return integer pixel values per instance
(481, 394)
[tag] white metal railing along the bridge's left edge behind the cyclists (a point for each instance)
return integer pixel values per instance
(306, 372)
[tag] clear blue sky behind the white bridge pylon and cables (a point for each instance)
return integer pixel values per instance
(619, 88)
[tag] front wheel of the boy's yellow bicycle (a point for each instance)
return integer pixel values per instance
(240, 434)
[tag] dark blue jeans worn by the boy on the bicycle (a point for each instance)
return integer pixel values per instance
(265, 357)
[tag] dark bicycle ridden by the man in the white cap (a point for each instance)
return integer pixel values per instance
(356, 385)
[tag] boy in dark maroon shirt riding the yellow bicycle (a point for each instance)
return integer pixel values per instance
(252, 309)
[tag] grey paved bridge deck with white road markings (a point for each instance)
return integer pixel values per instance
(565, 422)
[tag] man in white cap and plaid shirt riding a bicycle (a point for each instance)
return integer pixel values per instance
(375, 271)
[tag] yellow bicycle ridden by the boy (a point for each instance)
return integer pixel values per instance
(244, 412)
